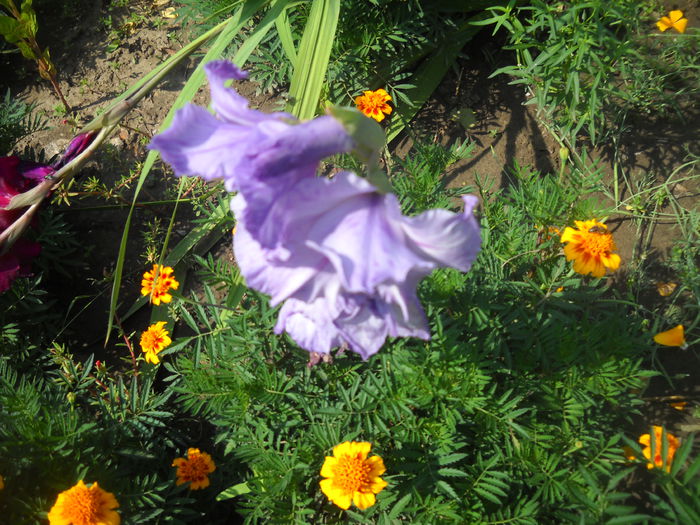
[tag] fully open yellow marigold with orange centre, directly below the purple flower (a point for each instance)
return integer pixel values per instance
(352, 476)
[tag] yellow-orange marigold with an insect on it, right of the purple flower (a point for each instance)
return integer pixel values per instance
(590, 246)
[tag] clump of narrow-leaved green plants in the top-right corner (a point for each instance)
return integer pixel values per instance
(590, 63)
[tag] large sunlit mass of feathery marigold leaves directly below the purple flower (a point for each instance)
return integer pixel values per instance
(511, 413)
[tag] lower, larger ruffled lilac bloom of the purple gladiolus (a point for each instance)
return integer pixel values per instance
(346, 262)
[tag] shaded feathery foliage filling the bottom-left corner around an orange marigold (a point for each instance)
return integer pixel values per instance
(62, 421)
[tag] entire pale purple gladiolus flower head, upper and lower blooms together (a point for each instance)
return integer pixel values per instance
(337, 252)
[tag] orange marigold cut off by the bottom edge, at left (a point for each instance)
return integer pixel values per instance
(83, 505)
